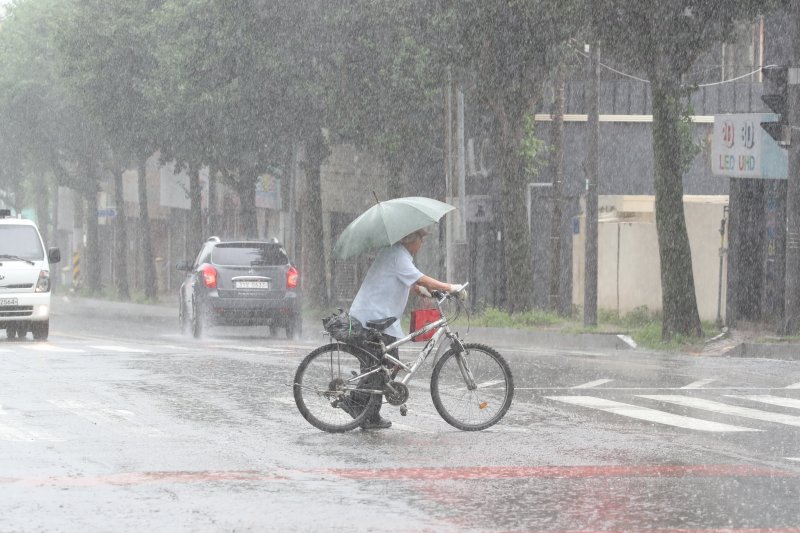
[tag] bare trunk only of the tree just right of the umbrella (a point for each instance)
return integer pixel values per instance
(514, 216)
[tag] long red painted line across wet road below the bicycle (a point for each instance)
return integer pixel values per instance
(433, 473)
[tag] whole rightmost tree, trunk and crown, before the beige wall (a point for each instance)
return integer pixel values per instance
(663, 39)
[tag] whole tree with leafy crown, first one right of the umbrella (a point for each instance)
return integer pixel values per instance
(507, 51)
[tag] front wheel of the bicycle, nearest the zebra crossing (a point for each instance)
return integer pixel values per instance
(472, 390)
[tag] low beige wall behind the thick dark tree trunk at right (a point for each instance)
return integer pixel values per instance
(629, 269)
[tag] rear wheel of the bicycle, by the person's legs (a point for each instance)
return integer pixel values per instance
(325, 390)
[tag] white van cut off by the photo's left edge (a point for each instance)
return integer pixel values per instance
(24, 278)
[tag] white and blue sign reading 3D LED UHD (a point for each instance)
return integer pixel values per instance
(740, 148)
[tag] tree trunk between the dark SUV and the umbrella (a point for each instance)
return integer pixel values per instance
(313, 254)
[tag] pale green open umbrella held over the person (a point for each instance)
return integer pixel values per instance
(385, 223)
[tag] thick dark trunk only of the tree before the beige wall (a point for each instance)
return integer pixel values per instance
(677, 280)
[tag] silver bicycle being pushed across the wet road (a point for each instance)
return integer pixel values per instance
(471, 384)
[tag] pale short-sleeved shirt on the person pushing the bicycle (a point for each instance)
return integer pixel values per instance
(385, 289)
